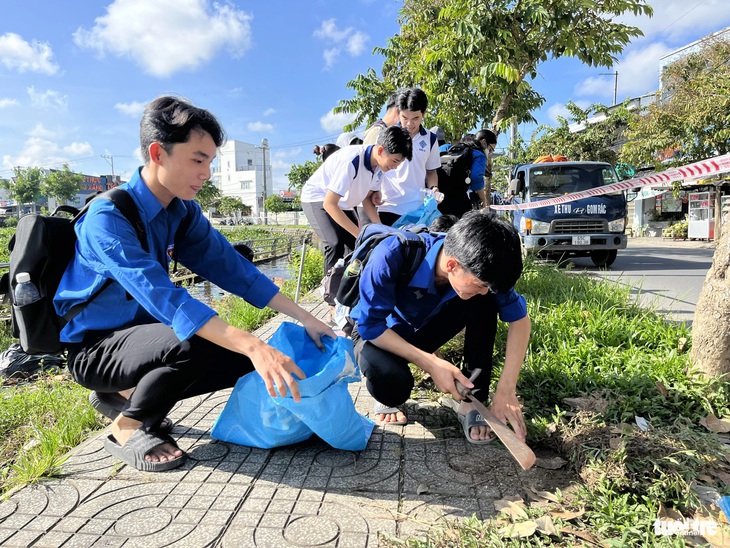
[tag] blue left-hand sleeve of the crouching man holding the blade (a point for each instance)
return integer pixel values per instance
(378, 289)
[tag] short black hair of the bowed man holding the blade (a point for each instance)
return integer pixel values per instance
(488, 247)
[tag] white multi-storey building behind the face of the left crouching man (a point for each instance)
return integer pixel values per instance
(244, 171)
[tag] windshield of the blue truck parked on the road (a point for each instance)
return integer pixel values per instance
(557, 180)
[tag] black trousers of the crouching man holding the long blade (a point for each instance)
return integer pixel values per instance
(388, 377)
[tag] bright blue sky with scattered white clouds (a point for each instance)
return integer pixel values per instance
(75, 76)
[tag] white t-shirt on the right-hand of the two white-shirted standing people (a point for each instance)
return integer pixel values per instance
(402, 187)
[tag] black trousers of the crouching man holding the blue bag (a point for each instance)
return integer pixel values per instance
(163, 369)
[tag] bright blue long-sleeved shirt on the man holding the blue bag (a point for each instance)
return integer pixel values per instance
(108, 247)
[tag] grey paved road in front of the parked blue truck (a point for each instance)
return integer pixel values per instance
(665, 274)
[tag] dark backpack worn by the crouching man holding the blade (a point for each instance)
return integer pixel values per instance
(414, 246)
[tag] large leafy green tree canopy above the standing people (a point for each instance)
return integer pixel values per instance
(476, 59)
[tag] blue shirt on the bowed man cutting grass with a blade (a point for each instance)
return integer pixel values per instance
(384, 305)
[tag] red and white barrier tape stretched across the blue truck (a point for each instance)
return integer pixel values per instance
(712, 166)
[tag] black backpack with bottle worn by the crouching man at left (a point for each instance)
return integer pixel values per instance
(43, 246)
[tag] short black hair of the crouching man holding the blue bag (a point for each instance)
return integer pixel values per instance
(169, 120)
